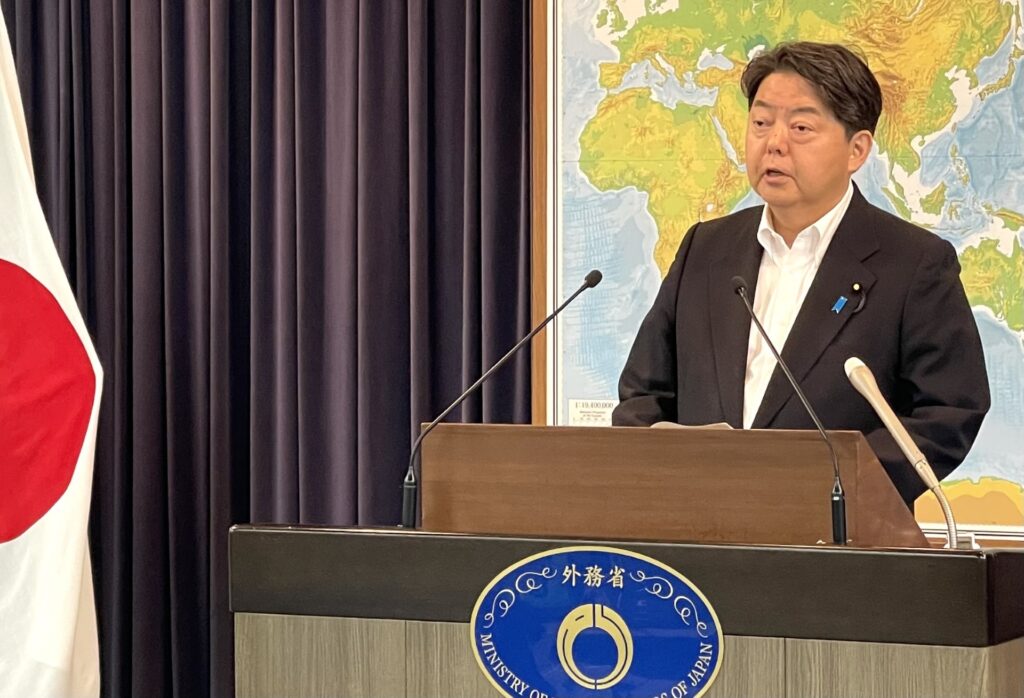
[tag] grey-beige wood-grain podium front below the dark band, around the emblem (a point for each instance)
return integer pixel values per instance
(320, 658)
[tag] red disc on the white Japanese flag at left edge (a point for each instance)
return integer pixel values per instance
(48, 387)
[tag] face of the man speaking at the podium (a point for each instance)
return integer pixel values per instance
(799, 159)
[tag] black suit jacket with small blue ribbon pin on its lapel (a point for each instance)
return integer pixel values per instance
(915, 331)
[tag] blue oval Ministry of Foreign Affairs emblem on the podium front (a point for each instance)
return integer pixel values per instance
(594, 622)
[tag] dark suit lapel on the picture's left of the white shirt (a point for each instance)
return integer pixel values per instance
(730, 322)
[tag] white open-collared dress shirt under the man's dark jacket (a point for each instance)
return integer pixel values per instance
(784, 280)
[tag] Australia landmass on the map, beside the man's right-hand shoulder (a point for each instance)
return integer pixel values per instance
(996, 281)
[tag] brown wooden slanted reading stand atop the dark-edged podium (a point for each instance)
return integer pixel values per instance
(707, 486)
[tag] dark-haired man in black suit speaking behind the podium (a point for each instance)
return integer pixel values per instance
(833, 278)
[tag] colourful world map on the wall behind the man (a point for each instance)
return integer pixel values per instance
(650, 141)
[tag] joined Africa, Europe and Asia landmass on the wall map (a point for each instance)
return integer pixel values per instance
(679, 157)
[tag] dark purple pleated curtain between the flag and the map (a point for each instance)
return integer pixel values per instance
(296, 230)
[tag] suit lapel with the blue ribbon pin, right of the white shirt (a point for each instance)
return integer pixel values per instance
(818, 325)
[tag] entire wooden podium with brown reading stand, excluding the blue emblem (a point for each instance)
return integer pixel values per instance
(385, 613)
